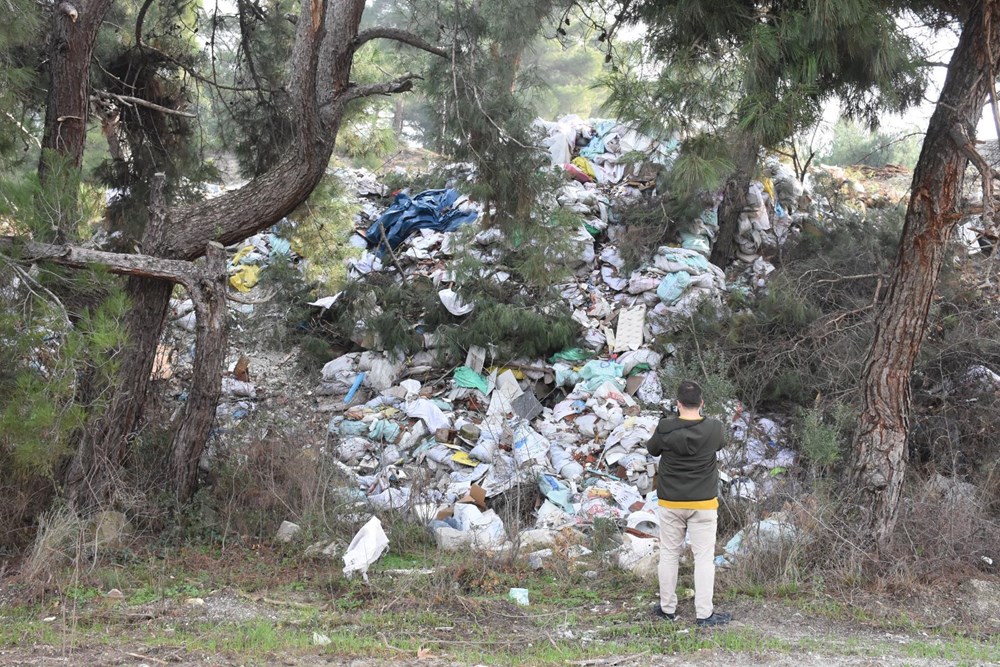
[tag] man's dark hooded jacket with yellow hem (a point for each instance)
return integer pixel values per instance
(688, 476)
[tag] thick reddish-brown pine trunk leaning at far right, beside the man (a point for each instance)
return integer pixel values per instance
(879, 447)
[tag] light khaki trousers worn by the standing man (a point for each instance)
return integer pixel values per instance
(700, 527)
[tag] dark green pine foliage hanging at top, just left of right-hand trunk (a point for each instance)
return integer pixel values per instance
(754, 73)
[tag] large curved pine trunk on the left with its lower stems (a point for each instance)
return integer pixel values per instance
(319, 86)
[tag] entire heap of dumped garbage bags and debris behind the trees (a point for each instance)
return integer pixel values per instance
(567, 433)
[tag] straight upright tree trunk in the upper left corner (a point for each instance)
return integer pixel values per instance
(71, 45)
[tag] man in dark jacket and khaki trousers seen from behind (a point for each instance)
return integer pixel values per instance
(687, 489)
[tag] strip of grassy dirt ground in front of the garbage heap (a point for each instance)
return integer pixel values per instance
(261, 605)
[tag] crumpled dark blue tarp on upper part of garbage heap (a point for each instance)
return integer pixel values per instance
(430, 209)
